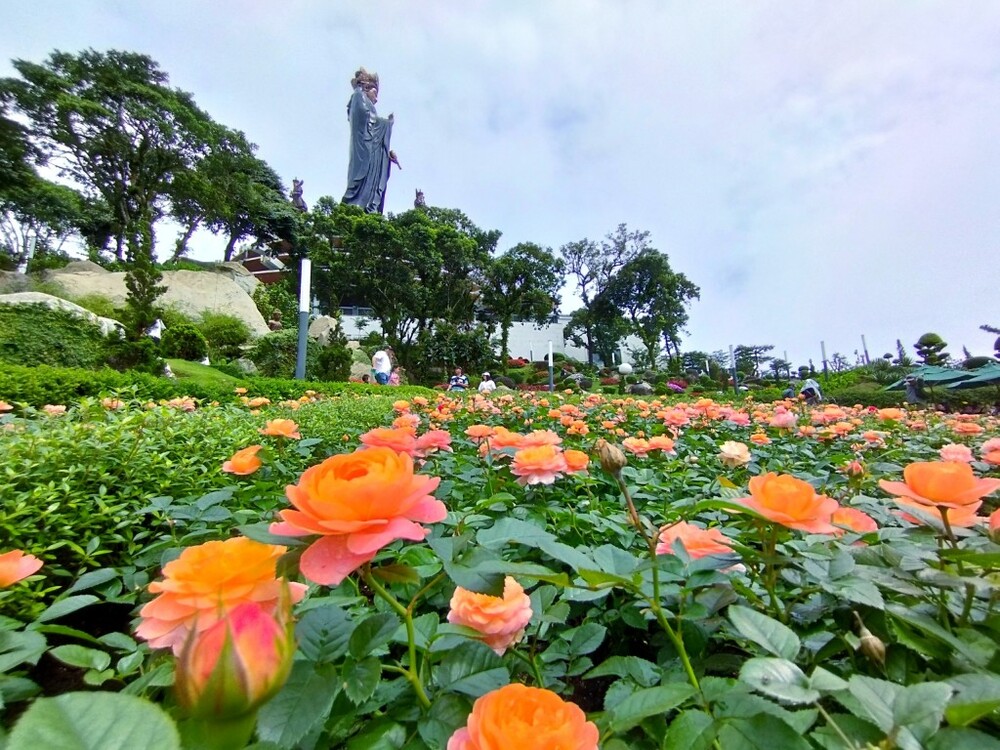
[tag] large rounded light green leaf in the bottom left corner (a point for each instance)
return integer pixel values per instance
(94, 721)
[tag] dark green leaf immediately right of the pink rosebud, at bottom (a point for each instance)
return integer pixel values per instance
(304, 701)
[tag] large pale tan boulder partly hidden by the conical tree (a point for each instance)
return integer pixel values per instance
(192, 292)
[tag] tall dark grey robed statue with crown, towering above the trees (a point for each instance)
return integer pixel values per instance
(371, 159)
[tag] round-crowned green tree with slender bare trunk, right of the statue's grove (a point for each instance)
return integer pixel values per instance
(523, 283)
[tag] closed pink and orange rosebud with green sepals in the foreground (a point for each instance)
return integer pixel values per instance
(236, 665)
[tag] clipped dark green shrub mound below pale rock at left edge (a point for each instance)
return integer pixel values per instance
(37, 335)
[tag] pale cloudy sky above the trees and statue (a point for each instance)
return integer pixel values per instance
(822, 171)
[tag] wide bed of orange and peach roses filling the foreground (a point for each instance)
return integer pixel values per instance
(513, 572)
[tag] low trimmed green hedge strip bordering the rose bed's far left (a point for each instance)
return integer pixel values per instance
(37, 386)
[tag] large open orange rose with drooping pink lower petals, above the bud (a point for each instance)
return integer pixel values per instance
(358, 502)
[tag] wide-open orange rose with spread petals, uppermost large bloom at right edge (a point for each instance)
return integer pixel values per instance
(944, 484)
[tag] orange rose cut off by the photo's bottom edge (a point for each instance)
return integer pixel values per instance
(517, 717)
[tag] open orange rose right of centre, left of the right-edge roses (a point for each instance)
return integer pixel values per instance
(790, 501)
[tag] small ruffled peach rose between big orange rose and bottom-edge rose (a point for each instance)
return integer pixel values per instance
(501, 619)
